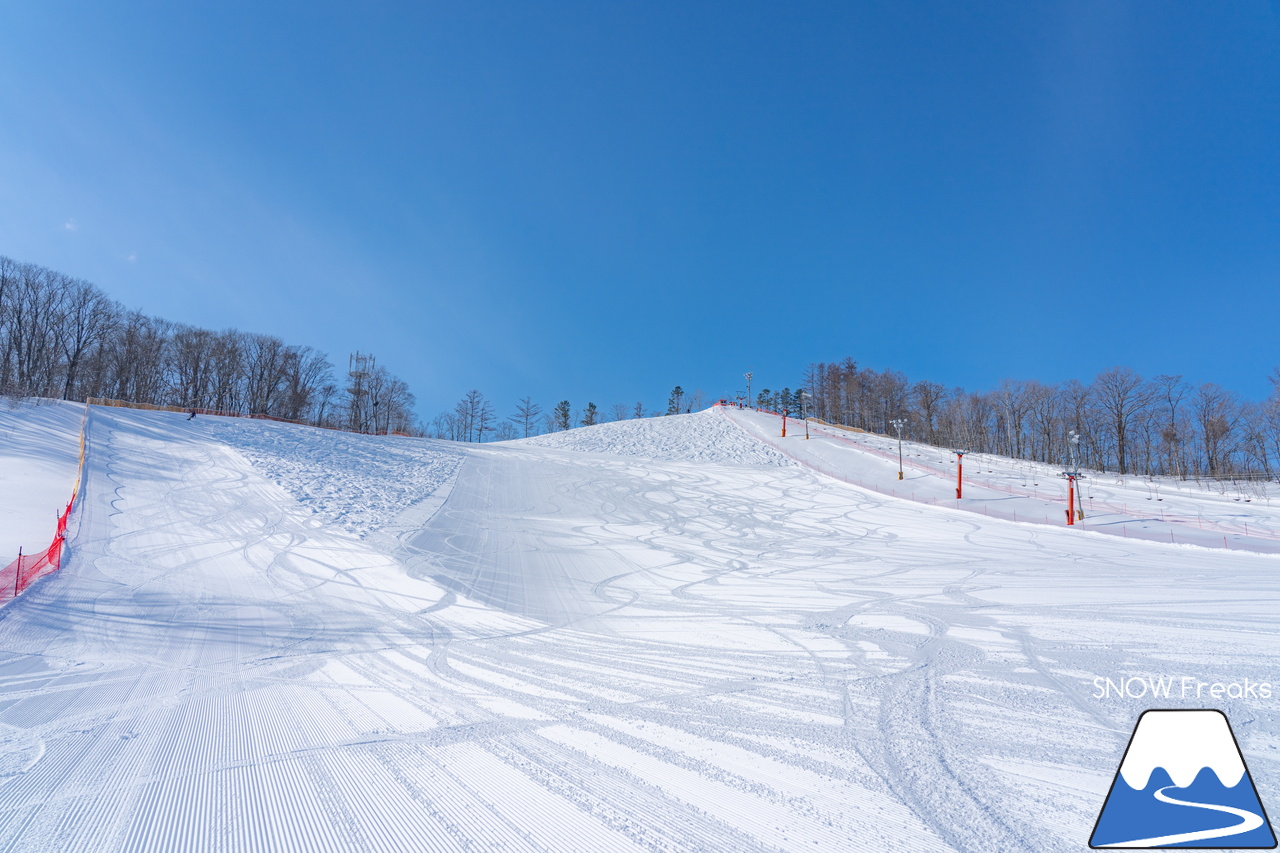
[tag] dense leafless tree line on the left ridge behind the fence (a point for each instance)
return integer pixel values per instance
(63, 337)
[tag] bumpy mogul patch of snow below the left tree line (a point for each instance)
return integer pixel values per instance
(358, 482)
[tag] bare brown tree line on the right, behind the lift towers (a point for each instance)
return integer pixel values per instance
(1124, 423)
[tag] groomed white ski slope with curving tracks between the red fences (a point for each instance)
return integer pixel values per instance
(687, 635)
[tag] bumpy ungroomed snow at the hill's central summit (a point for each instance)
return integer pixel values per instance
(700, 437)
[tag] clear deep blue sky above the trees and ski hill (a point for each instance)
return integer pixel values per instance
(601, 200)
